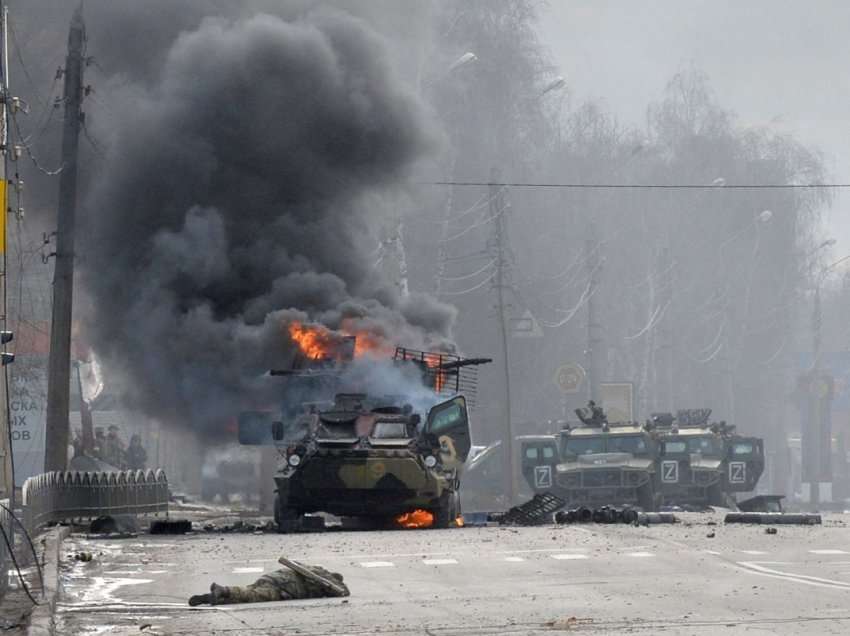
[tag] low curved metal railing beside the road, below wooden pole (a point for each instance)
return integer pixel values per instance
(62, 496)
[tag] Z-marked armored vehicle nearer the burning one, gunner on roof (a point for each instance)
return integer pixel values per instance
(595, 463)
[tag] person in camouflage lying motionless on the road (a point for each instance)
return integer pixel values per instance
(280, 585)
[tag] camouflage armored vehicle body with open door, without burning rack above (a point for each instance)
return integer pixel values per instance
(374, 458)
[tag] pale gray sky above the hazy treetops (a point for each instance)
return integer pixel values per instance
(781, 63)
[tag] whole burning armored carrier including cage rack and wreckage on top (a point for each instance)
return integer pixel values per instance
(388, 456)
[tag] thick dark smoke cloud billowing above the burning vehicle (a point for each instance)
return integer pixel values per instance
(236, 196)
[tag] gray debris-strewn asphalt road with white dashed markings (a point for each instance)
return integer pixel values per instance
(599, 579)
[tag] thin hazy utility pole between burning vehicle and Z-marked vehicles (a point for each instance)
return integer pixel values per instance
(501, 253)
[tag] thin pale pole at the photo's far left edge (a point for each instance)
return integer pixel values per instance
(7, 475)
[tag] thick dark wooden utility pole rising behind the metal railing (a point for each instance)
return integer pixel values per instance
(59, 366)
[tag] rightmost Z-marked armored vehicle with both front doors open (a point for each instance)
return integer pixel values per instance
(703, 463)
